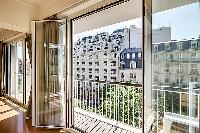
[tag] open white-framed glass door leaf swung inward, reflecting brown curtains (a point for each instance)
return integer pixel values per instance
(49, 73)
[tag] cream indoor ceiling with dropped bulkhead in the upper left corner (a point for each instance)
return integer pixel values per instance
(17, 15)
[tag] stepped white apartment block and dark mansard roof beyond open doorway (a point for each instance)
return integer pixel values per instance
(115, 57)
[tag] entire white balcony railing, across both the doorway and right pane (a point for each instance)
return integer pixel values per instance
(121, 104)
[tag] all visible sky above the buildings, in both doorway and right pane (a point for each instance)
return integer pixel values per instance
(184, 22)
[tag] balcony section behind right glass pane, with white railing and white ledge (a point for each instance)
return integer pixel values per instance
(177, 106)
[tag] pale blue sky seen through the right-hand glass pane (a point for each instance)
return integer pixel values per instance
(184, 21)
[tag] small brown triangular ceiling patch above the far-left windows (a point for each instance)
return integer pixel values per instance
(5, 33)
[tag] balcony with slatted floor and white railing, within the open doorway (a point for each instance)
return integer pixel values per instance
(107, 107)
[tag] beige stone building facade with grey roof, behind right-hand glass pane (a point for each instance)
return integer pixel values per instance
(176, 63)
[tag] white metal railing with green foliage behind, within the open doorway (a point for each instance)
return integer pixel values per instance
(118, 102)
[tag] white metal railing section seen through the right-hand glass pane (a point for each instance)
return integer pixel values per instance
(177, 102)
